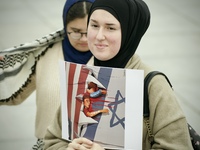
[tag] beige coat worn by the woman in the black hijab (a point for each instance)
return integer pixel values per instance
(167, 121)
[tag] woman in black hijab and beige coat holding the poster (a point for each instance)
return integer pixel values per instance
(115, 29)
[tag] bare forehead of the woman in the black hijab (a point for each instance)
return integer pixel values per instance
(104, 16)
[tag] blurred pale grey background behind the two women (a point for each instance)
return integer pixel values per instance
(171, 45)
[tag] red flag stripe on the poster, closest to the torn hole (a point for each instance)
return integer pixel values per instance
(80, 90)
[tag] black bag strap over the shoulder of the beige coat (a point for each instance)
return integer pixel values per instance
(147, 80)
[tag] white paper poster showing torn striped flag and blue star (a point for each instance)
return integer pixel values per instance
(102, 104)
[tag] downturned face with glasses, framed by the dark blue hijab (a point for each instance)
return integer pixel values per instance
(78, 25)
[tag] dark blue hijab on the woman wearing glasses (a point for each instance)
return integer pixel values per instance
(69, 52)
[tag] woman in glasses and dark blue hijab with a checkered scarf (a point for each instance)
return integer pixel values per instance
(43, 72)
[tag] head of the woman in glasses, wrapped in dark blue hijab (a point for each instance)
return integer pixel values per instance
(75, 47)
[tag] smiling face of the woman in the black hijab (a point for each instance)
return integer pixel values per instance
(104, 35)
